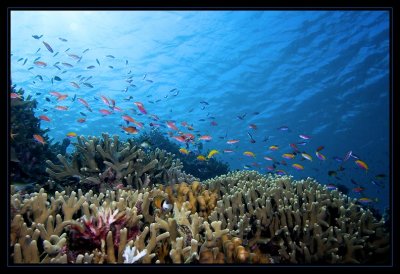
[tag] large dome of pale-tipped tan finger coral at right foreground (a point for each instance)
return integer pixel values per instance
(297, 221)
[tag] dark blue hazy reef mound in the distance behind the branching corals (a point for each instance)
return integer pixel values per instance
(191, 165)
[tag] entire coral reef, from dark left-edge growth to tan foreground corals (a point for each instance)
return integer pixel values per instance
(117, 202)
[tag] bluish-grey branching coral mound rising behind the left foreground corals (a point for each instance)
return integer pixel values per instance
(107, 163)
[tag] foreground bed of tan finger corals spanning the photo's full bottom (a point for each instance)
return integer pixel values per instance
(241, 217)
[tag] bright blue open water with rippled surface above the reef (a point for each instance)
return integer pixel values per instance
(324, 74)
